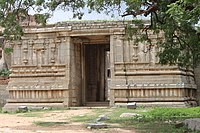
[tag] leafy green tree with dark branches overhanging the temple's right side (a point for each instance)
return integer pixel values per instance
(177, 19)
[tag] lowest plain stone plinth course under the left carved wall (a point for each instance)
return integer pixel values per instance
(13, 107)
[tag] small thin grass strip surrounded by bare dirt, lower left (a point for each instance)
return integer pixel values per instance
(48, 124)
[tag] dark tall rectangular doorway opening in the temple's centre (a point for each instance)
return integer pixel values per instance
(96, 72)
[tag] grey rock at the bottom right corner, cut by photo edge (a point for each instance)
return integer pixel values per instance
(193, 124)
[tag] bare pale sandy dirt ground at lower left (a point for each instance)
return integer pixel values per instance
(23, 123)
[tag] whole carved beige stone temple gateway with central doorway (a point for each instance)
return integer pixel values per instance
(91, 62)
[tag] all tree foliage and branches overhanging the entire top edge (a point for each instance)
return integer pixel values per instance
(177, 19)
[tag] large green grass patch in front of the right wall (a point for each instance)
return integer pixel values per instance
(153, 120)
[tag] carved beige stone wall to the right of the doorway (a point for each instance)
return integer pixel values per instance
(138, 77)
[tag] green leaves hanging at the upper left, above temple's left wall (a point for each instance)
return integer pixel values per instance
(13, 12)
